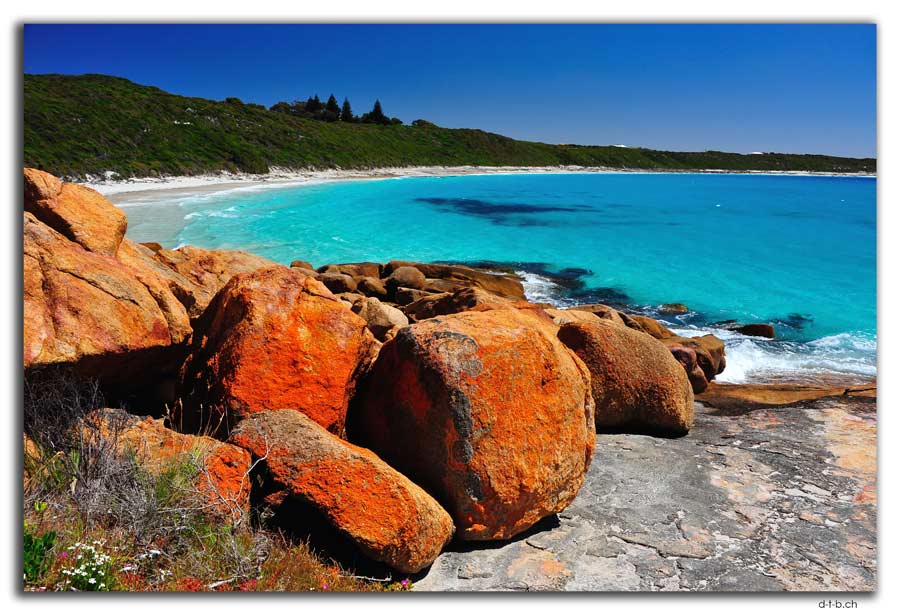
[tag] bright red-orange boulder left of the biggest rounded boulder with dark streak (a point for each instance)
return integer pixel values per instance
(274, 338)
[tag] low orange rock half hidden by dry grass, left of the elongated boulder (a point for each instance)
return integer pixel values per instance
(219, 472)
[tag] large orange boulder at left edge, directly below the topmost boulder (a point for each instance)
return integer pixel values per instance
(88, 308)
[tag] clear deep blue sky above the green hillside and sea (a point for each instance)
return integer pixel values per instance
(743, 88)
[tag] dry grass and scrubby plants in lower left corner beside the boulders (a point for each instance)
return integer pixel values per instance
(154, 526)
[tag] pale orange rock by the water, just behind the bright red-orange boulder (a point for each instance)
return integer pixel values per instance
(195, 275)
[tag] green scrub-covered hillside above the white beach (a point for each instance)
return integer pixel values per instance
(88, 124)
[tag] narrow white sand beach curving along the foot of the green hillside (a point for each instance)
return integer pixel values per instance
(121, 191)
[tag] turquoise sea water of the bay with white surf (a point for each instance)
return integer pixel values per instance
(795, 251)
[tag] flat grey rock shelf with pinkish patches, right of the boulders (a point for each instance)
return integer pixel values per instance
(769, 500)
